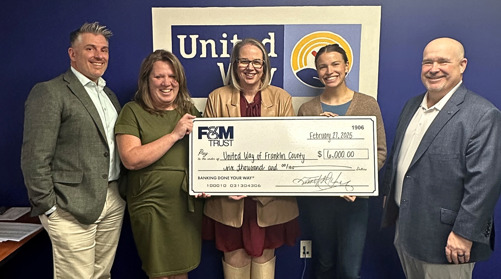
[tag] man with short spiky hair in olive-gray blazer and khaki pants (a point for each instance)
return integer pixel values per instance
(69, 159)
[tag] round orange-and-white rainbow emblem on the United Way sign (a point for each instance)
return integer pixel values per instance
(304, 52)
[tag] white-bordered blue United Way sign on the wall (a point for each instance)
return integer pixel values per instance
(203, 38)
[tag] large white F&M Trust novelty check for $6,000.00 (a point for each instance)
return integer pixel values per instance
(284, 156)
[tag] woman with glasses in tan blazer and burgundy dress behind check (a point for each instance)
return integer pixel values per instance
(248, 229)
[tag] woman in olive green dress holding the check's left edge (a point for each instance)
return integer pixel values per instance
(152, 140)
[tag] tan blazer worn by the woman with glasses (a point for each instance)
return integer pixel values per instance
(225, 102)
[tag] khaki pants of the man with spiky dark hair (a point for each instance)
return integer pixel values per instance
(86, 251)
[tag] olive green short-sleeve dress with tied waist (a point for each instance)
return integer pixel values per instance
(166, 222)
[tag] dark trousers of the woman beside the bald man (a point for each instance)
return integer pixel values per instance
(338, 230)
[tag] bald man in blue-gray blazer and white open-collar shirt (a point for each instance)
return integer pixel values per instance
(444, 173)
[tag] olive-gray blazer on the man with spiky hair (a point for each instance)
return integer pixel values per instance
(65, 155)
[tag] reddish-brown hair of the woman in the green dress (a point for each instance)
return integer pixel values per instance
(182, 102)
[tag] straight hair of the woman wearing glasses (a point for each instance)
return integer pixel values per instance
(265, 79)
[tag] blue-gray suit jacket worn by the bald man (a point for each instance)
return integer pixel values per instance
(453, 181)
